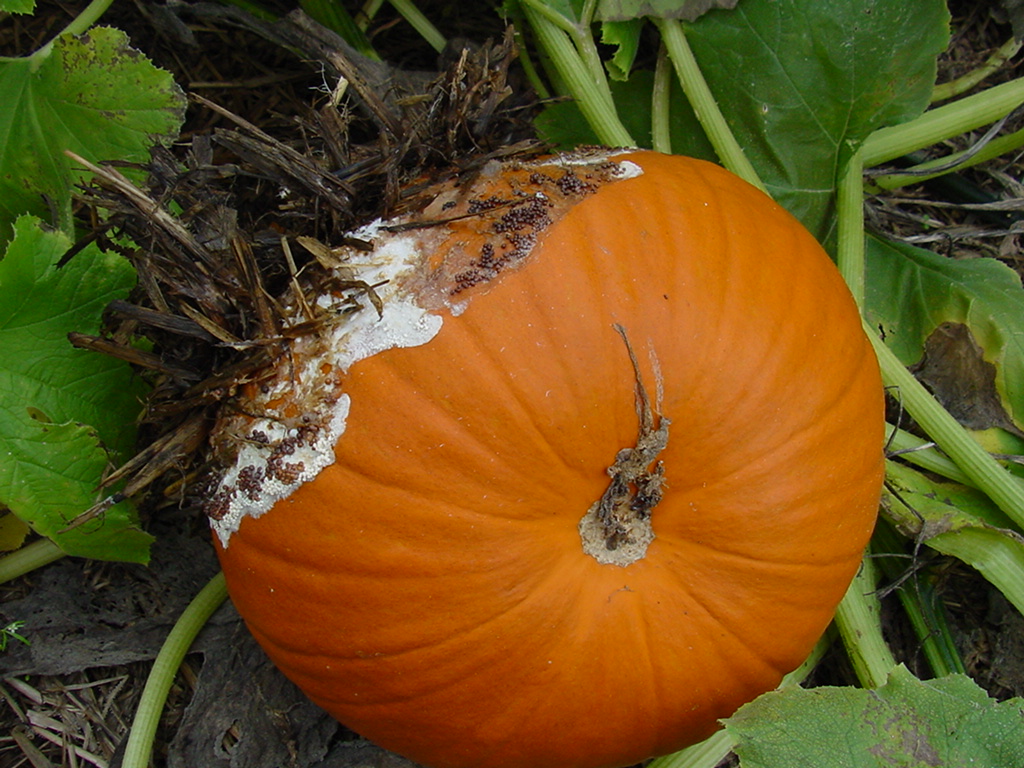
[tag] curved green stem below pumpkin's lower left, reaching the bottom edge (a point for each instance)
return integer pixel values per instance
(144, 729)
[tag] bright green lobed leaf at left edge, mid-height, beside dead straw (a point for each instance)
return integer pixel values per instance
(66, 414)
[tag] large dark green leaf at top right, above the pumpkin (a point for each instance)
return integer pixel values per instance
(803, 82)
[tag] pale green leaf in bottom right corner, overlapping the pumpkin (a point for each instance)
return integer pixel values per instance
(908, 723)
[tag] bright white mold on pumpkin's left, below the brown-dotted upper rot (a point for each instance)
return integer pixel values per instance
(279, 451)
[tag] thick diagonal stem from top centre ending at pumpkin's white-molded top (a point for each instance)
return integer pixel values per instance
(593, 100)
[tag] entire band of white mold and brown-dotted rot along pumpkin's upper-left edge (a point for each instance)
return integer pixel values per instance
(283, 431)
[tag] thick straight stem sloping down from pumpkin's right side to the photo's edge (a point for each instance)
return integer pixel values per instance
(984, 472)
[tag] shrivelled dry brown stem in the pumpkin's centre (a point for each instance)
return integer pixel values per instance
(617, 529)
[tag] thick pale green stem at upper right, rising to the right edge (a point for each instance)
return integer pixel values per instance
(943, 122)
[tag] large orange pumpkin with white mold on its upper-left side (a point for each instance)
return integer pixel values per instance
(591, 468)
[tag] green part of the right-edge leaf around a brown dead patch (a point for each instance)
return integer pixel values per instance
(983, 294)
